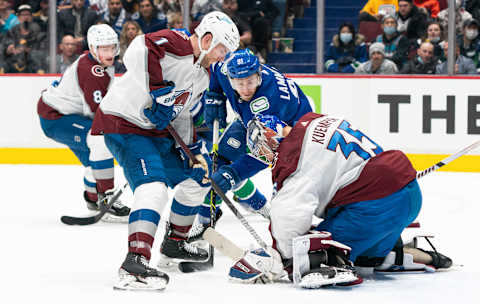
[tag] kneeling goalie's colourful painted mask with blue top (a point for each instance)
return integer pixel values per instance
(264, 134)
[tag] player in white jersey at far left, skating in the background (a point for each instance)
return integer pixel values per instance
(66, 111)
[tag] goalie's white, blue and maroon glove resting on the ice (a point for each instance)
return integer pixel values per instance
(259, 266)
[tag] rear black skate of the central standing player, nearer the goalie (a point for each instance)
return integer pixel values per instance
(175, 249)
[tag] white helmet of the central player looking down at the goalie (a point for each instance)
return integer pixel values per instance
(223, 31)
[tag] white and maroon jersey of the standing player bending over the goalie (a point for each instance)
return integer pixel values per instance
(151, 60)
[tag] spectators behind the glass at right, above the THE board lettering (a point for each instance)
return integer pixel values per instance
(412, 39)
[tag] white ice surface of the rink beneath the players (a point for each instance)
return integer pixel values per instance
(45, 261)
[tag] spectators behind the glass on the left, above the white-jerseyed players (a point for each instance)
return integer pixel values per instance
(24, 39)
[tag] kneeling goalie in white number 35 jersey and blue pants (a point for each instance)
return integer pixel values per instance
(366, 197)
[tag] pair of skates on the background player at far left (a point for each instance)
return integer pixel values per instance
(118, 213)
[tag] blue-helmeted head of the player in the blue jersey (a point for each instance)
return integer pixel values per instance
(244, 73)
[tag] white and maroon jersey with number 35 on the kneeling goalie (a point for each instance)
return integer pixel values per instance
(324, 163)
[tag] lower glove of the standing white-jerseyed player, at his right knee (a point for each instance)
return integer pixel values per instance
(201, 171)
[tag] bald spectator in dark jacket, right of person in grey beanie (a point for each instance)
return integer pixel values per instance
(423, 63)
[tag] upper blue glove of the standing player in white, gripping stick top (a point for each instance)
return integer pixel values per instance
(215, 108)
